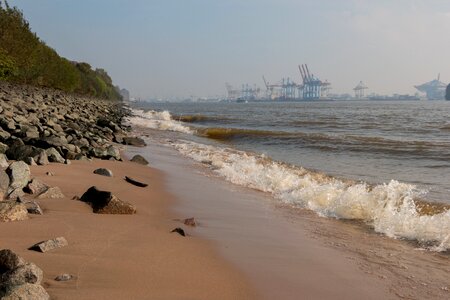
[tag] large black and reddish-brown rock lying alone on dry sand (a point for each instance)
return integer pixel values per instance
(104, 202)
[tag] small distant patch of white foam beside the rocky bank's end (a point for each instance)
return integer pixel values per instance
(157, 120)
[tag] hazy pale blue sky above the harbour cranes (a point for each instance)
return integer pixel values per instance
(184, 48)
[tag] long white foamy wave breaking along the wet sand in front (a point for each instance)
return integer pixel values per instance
(388, 207)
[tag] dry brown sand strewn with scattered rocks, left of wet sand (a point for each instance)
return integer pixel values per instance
(120, 256)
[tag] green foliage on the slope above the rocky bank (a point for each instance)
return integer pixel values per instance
(24, 58)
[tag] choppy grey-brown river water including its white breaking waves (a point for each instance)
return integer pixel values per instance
(385, 163)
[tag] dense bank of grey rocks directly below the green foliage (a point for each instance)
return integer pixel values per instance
(41, 125)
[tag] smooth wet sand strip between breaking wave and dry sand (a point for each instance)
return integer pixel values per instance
(295, 254)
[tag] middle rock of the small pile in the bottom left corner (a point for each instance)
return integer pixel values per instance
(27, 273)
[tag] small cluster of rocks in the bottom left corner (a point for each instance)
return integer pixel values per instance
(20, 279)
